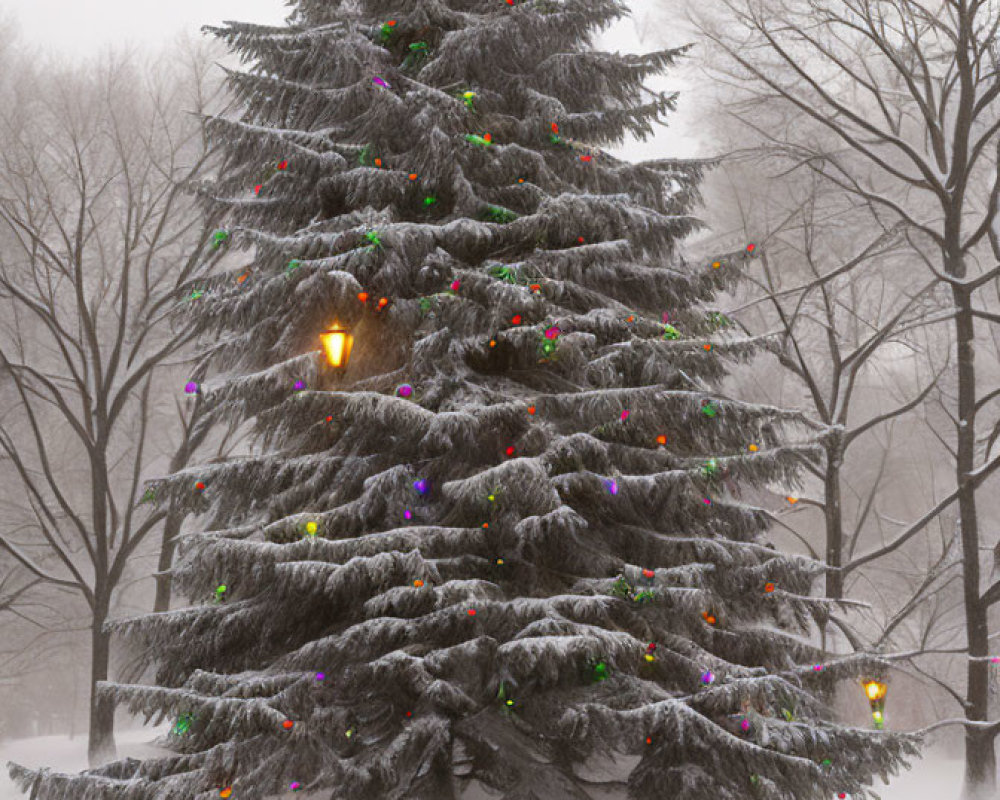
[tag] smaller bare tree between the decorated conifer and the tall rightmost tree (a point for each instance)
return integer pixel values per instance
(835, 314)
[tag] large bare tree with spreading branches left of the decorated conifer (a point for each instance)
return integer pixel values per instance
(100, 236)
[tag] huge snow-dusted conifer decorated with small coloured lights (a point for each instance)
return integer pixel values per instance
(504, 544)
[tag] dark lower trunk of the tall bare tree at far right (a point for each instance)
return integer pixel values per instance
(980, 757)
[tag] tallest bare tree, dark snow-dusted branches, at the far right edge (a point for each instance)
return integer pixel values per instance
(896, 105)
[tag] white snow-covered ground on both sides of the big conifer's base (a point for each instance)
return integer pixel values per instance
(931, 779)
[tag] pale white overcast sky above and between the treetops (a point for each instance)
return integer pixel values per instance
(79, 28)
